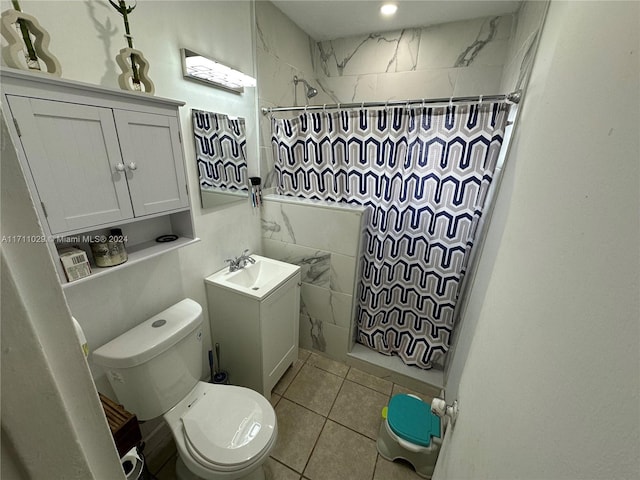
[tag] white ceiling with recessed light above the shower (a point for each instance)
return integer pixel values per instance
(331, 19)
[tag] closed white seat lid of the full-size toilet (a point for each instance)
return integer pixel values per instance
(229, 430)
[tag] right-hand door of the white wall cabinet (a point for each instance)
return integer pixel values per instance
(152, 155)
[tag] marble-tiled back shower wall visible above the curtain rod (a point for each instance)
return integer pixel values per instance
(458, 58)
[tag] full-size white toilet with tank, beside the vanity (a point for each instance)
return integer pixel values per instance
(221, 431)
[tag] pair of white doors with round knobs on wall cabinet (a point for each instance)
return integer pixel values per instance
(94, 166)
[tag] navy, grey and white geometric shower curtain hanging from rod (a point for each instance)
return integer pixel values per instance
(424, 174)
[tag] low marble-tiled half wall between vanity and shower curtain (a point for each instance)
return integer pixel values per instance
(325, 242)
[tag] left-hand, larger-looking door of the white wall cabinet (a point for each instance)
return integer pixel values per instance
(74, 157)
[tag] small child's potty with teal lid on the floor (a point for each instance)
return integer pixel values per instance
(410, 431)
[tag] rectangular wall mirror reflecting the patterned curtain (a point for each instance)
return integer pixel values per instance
(221, 150)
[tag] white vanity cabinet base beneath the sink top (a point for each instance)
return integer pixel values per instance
(258, 337)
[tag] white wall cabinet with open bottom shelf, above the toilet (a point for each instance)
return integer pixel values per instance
(98, 158)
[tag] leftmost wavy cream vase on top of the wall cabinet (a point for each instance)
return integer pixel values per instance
(27, 42)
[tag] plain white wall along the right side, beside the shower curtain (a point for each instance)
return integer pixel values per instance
(550, 387)
